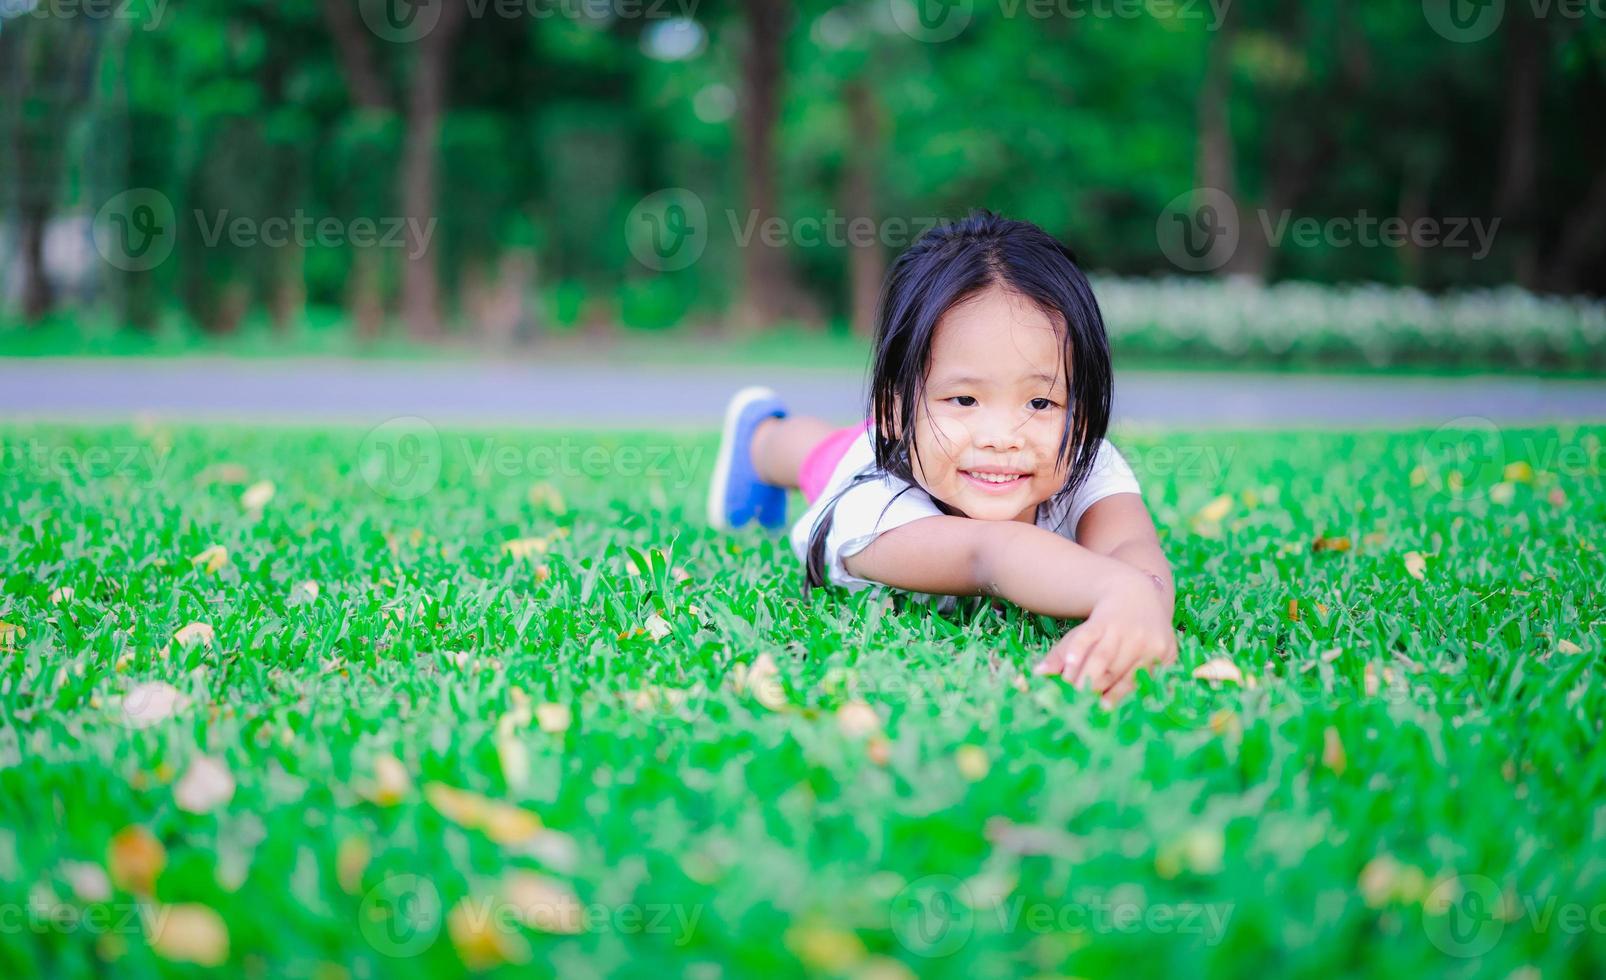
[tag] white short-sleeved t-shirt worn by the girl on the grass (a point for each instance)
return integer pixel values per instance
(882, 504)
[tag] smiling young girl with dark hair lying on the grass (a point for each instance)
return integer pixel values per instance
(984, 467)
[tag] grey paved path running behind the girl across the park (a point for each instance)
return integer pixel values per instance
(577, 394)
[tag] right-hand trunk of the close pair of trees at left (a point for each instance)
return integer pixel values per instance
(426, 107)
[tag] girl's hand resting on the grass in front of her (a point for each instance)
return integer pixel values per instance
(1128, 631)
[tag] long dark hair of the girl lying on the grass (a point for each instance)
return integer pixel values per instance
(947, 266)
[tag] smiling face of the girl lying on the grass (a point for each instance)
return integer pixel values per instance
(987, 438)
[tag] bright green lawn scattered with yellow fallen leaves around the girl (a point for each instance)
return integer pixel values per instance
(1409, 780)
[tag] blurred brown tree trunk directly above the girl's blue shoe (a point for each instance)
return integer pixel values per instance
(768, 290)
